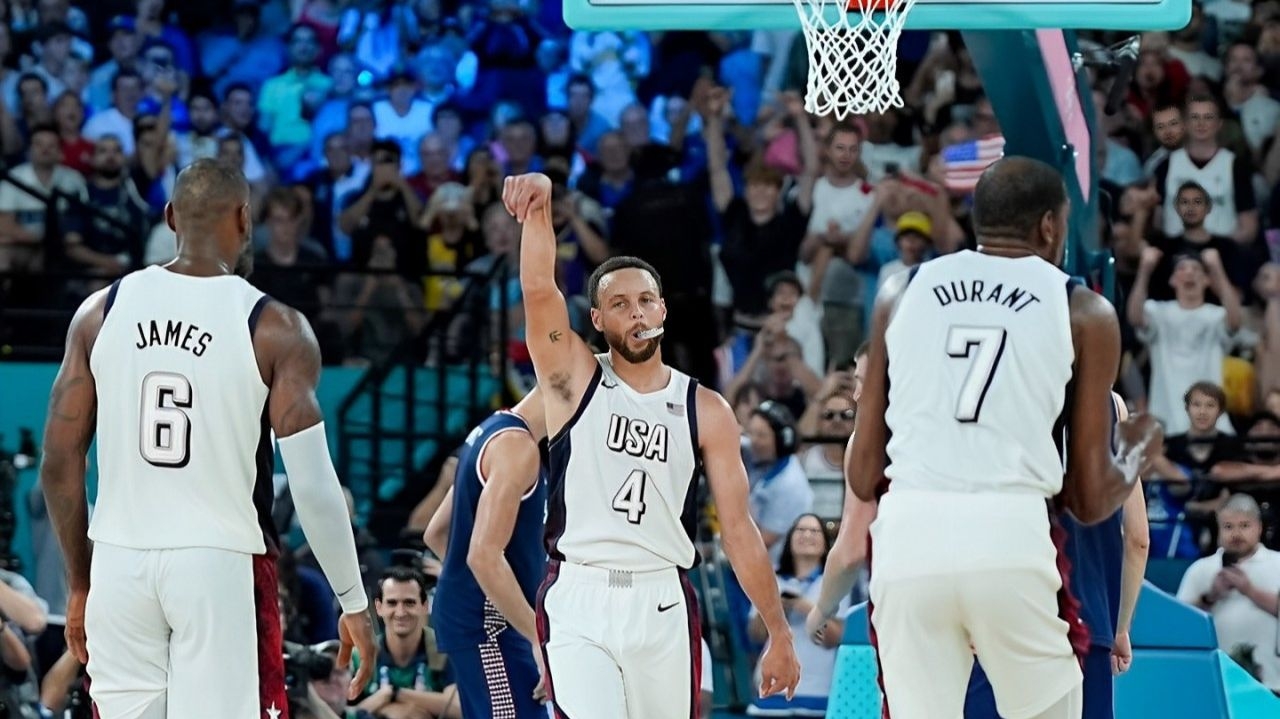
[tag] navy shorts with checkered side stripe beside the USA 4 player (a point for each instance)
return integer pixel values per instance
(499, 679)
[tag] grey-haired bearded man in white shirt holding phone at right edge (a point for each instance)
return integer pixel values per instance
(1240, 585)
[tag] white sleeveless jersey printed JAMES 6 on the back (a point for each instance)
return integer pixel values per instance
(184, 443)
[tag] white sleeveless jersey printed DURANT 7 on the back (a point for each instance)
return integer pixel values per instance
(980, 359)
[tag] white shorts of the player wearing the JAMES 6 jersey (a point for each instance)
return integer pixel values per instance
(176, 634)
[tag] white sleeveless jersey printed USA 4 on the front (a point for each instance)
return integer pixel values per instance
(623, 477)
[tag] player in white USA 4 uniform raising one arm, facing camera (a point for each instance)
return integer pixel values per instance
(618, 616)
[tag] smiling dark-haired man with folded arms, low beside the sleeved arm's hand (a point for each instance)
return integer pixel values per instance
(408, 683)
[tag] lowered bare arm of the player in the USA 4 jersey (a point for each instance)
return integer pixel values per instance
(723, 461)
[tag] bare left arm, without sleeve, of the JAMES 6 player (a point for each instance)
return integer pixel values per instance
(68, 433)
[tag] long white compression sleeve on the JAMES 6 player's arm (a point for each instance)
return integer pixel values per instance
(323, 514)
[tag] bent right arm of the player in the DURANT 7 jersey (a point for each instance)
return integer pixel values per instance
(1098, 482)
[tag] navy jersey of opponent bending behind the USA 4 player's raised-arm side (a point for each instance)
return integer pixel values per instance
(459, 612)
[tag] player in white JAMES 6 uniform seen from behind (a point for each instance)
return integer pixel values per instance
(184, 373)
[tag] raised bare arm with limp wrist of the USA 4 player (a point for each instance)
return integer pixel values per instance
(563, 361)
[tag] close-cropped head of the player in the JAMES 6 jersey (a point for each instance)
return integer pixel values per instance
(209, 212)
